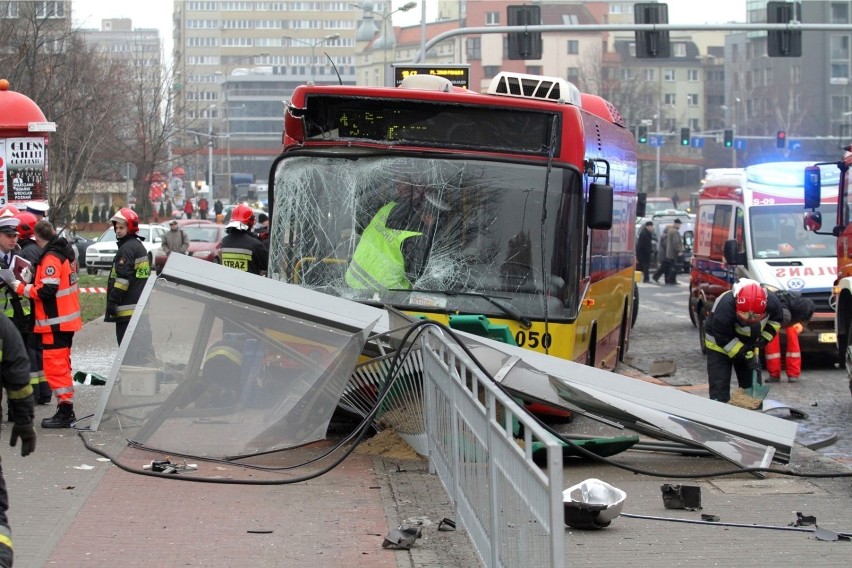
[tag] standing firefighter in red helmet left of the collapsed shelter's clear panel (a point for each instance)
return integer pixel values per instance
(129, 273)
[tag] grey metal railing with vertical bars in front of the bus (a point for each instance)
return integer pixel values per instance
(480, 443)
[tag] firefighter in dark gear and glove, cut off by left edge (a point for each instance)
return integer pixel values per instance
(15, 378)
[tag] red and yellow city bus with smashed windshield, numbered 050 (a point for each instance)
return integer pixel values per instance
(520, 204)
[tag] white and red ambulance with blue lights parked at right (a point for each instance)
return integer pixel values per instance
(749, 225)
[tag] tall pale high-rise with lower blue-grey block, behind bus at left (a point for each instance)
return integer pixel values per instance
(238, 61)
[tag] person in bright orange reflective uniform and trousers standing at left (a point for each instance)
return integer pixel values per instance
(56, 303)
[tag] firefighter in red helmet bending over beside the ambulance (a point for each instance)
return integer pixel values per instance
(742, 320)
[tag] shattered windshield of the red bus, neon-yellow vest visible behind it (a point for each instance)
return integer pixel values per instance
(432, 235)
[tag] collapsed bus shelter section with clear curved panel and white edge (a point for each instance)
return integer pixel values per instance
(224, 364)
